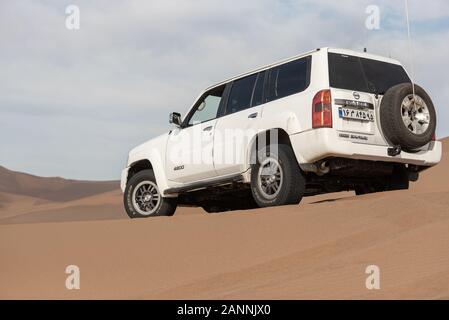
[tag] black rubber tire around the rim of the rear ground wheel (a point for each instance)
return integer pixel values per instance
(292, 188)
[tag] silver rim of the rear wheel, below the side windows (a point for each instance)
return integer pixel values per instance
(270, 178)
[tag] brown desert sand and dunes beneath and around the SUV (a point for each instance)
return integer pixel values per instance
(317, 250)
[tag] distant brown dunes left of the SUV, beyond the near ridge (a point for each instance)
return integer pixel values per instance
(25, 198)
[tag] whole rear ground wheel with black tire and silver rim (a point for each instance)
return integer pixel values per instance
(276, 178)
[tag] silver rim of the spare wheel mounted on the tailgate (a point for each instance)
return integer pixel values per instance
(415, 114)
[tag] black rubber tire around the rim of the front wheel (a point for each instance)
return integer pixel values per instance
(165, 207)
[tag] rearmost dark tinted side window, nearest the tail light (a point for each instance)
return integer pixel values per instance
(289, 78)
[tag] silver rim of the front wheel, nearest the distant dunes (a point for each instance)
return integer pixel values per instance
(146, 198)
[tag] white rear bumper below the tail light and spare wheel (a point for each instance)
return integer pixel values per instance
(314, 145)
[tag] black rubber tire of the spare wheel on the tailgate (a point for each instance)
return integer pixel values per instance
(393, 126)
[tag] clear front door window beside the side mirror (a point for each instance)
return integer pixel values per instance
(207, 108)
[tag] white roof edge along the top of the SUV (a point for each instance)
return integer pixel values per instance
(328, 49)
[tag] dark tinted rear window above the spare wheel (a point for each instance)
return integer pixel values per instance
(365, 75)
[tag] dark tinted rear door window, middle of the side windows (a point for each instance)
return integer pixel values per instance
(240, 95)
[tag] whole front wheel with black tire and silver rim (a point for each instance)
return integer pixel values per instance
(142, 198)
